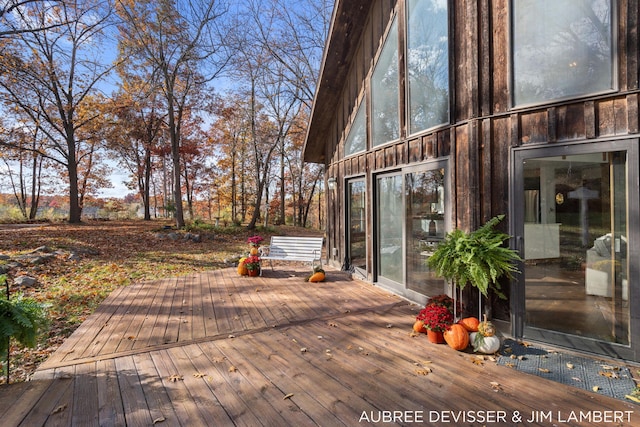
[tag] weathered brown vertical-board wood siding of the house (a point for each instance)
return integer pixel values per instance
(484, 126)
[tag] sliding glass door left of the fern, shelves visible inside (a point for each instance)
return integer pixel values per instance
(411, 218)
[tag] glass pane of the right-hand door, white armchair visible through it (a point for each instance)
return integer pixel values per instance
(576, 245)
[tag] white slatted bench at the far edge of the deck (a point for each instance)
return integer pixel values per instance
(289, 248)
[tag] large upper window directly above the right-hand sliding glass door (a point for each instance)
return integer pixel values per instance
(561, 49)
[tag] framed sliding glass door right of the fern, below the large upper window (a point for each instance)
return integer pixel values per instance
(573, 215)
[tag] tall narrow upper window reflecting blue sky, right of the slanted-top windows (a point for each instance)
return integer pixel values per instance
(427, 64)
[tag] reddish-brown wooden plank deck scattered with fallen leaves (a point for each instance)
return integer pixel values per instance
(216, 349)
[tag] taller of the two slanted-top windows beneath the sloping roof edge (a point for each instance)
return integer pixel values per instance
(385, 92)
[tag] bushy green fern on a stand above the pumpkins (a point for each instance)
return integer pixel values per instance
(478, 258)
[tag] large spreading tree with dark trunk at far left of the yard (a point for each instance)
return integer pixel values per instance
(51, 74)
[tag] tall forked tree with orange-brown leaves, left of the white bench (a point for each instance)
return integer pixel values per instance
(181, 49)
